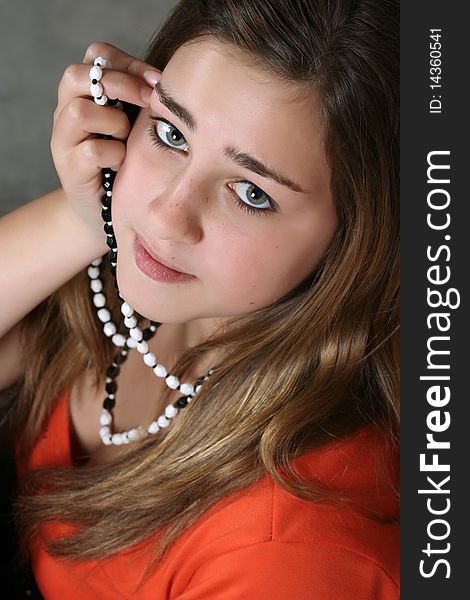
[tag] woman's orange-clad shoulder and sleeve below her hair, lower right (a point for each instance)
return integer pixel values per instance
(264, 542)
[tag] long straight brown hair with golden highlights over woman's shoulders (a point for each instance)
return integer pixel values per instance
(318, 364)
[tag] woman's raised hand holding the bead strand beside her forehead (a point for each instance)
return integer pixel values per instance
(78, 152)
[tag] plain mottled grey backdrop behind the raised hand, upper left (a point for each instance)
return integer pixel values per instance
(38, 39)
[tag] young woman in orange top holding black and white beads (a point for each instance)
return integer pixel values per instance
(236, 435)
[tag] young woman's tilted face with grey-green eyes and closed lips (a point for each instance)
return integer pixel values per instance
(245, 238)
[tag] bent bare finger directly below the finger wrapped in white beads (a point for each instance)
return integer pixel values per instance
(81, 118)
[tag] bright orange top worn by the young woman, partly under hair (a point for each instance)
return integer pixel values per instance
(266, 545)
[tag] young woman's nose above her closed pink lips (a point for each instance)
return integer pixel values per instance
(176, 213)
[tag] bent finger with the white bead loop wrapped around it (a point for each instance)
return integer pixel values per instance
(116, 84)
